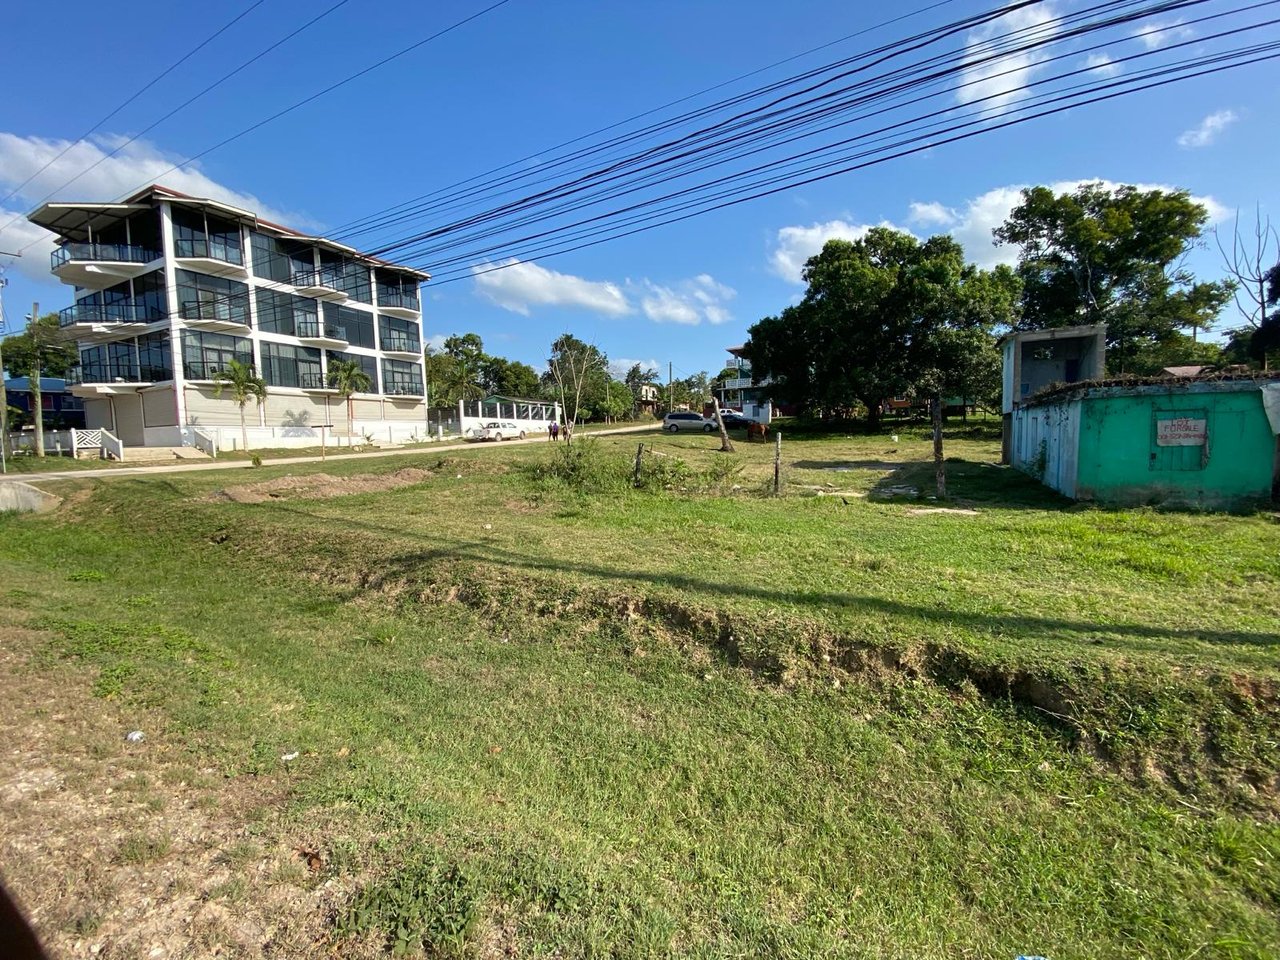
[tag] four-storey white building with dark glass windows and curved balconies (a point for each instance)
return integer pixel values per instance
(170, 289)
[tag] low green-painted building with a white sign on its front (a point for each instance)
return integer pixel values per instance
(1204, 444)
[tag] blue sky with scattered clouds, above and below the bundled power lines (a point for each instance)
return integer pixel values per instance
(529, 76)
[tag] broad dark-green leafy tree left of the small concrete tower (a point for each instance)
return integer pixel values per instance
(883, 317)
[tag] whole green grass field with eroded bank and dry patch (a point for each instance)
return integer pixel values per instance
(538, 712)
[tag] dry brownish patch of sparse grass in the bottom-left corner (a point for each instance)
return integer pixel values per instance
(135, 851)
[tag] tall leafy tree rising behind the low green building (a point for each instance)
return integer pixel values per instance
(1114, 257)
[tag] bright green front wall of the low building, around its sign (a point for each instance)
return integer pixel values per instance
(1122, 460)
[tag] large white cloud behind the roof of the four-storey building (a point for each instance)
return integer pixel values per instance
(136, 166)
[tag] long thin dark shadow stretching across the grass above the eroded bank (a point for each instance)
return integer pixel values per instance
(1041, 628)
